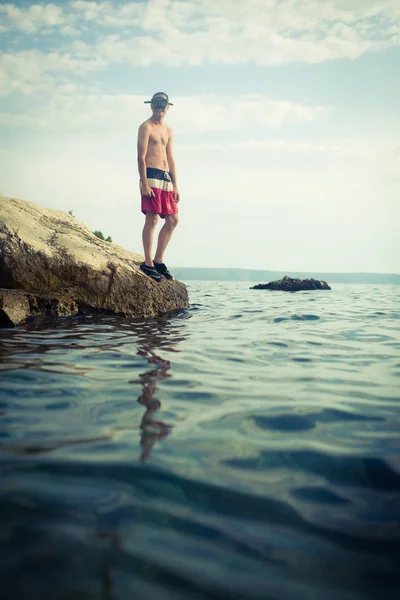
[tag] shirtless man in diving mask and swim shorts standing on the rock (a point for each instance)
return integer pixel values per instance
(159, 190)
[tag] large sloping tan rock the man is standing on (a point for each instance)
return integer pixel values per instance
(58, 267)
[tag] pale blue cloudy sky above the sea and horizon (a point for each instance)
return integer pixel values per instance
(286, 124)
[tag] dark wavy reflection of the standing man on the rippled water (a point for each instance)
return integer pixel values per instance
(151, 429)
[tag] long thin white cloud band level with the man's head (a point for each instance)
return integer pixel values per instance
(70, 108)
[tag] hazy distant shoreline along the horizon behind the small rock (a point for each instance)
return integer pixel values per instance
(220, 274)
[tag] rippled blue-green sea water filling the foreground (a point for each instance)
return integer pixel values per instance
(248, 447)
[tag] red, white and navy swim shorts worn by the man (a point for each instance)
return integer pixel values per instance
(164, 201)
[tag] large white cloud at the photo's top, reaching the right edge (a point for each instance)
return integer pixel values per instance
(235, 33)
